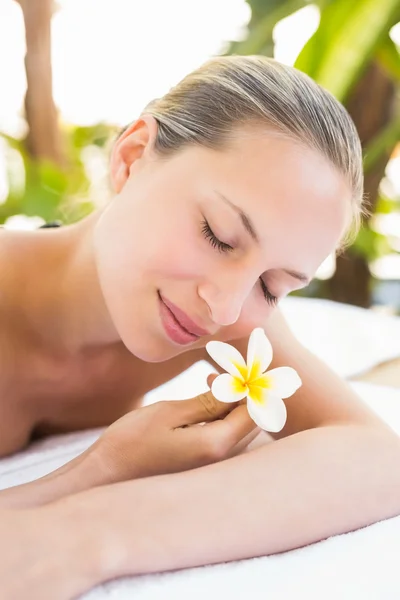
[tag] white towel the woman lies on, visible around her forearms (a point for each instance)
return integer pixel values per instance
(360, 565)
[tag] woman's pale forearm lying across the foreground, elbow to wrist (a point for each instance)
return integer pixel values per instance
(293, 492)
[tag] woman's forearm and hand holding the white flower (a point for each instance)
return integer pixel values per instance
(161, 438)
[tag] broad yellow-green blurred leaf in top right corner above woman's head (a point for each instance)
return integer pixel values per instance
(348, 34)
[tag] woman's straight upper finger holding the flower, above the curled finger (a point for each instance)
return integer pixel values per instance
(202, 408)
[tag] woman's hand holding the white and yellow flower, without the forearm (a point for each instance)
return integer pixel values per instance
(171, 436)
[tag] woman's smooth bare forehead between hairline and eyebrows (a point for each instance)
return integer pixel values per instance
(297, 200)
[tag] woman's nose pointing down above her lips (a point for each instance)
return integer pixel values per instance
(226, 298)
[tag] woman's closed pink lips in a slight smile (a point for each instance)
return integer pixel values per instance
(178, 326)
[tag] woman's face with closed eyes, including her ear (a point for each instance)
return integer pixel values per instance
(219, 234)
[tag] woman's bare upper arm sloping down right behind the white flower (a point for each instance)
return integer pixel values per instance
(324, 398)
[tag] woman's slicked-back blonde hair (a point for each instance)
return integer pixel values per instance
(208, 105)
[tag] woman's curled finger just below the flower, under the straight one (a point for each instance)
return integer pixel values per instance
(234, 427)
